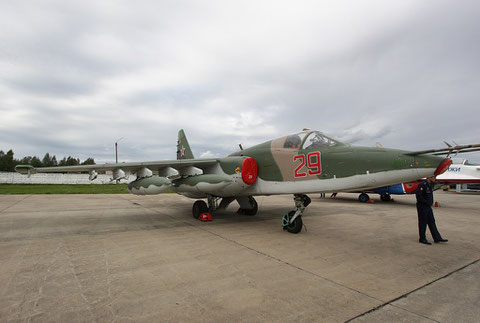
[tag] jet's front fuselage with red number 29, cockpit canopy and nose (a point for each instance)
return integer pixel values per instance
(299, 166)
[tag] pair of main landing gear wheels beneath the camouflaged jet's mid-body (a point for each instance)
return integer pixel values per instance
(248, 205)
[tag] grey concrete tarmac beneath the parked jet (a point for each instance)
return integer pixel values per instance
(128, 258)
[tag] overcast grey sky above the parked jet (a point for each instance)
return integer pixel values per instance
(76, 76)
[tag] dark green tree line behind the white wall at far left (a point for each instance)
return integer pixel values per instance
(8, 161)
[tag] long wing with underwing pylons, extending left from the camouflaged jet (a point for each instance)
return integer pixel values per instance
(167, 168)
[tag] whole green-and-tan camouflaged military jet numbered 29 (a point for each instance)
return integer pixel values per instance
(298, 164)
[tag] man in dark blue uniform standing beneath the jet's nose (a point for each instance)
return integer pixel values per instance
(424, 195)
